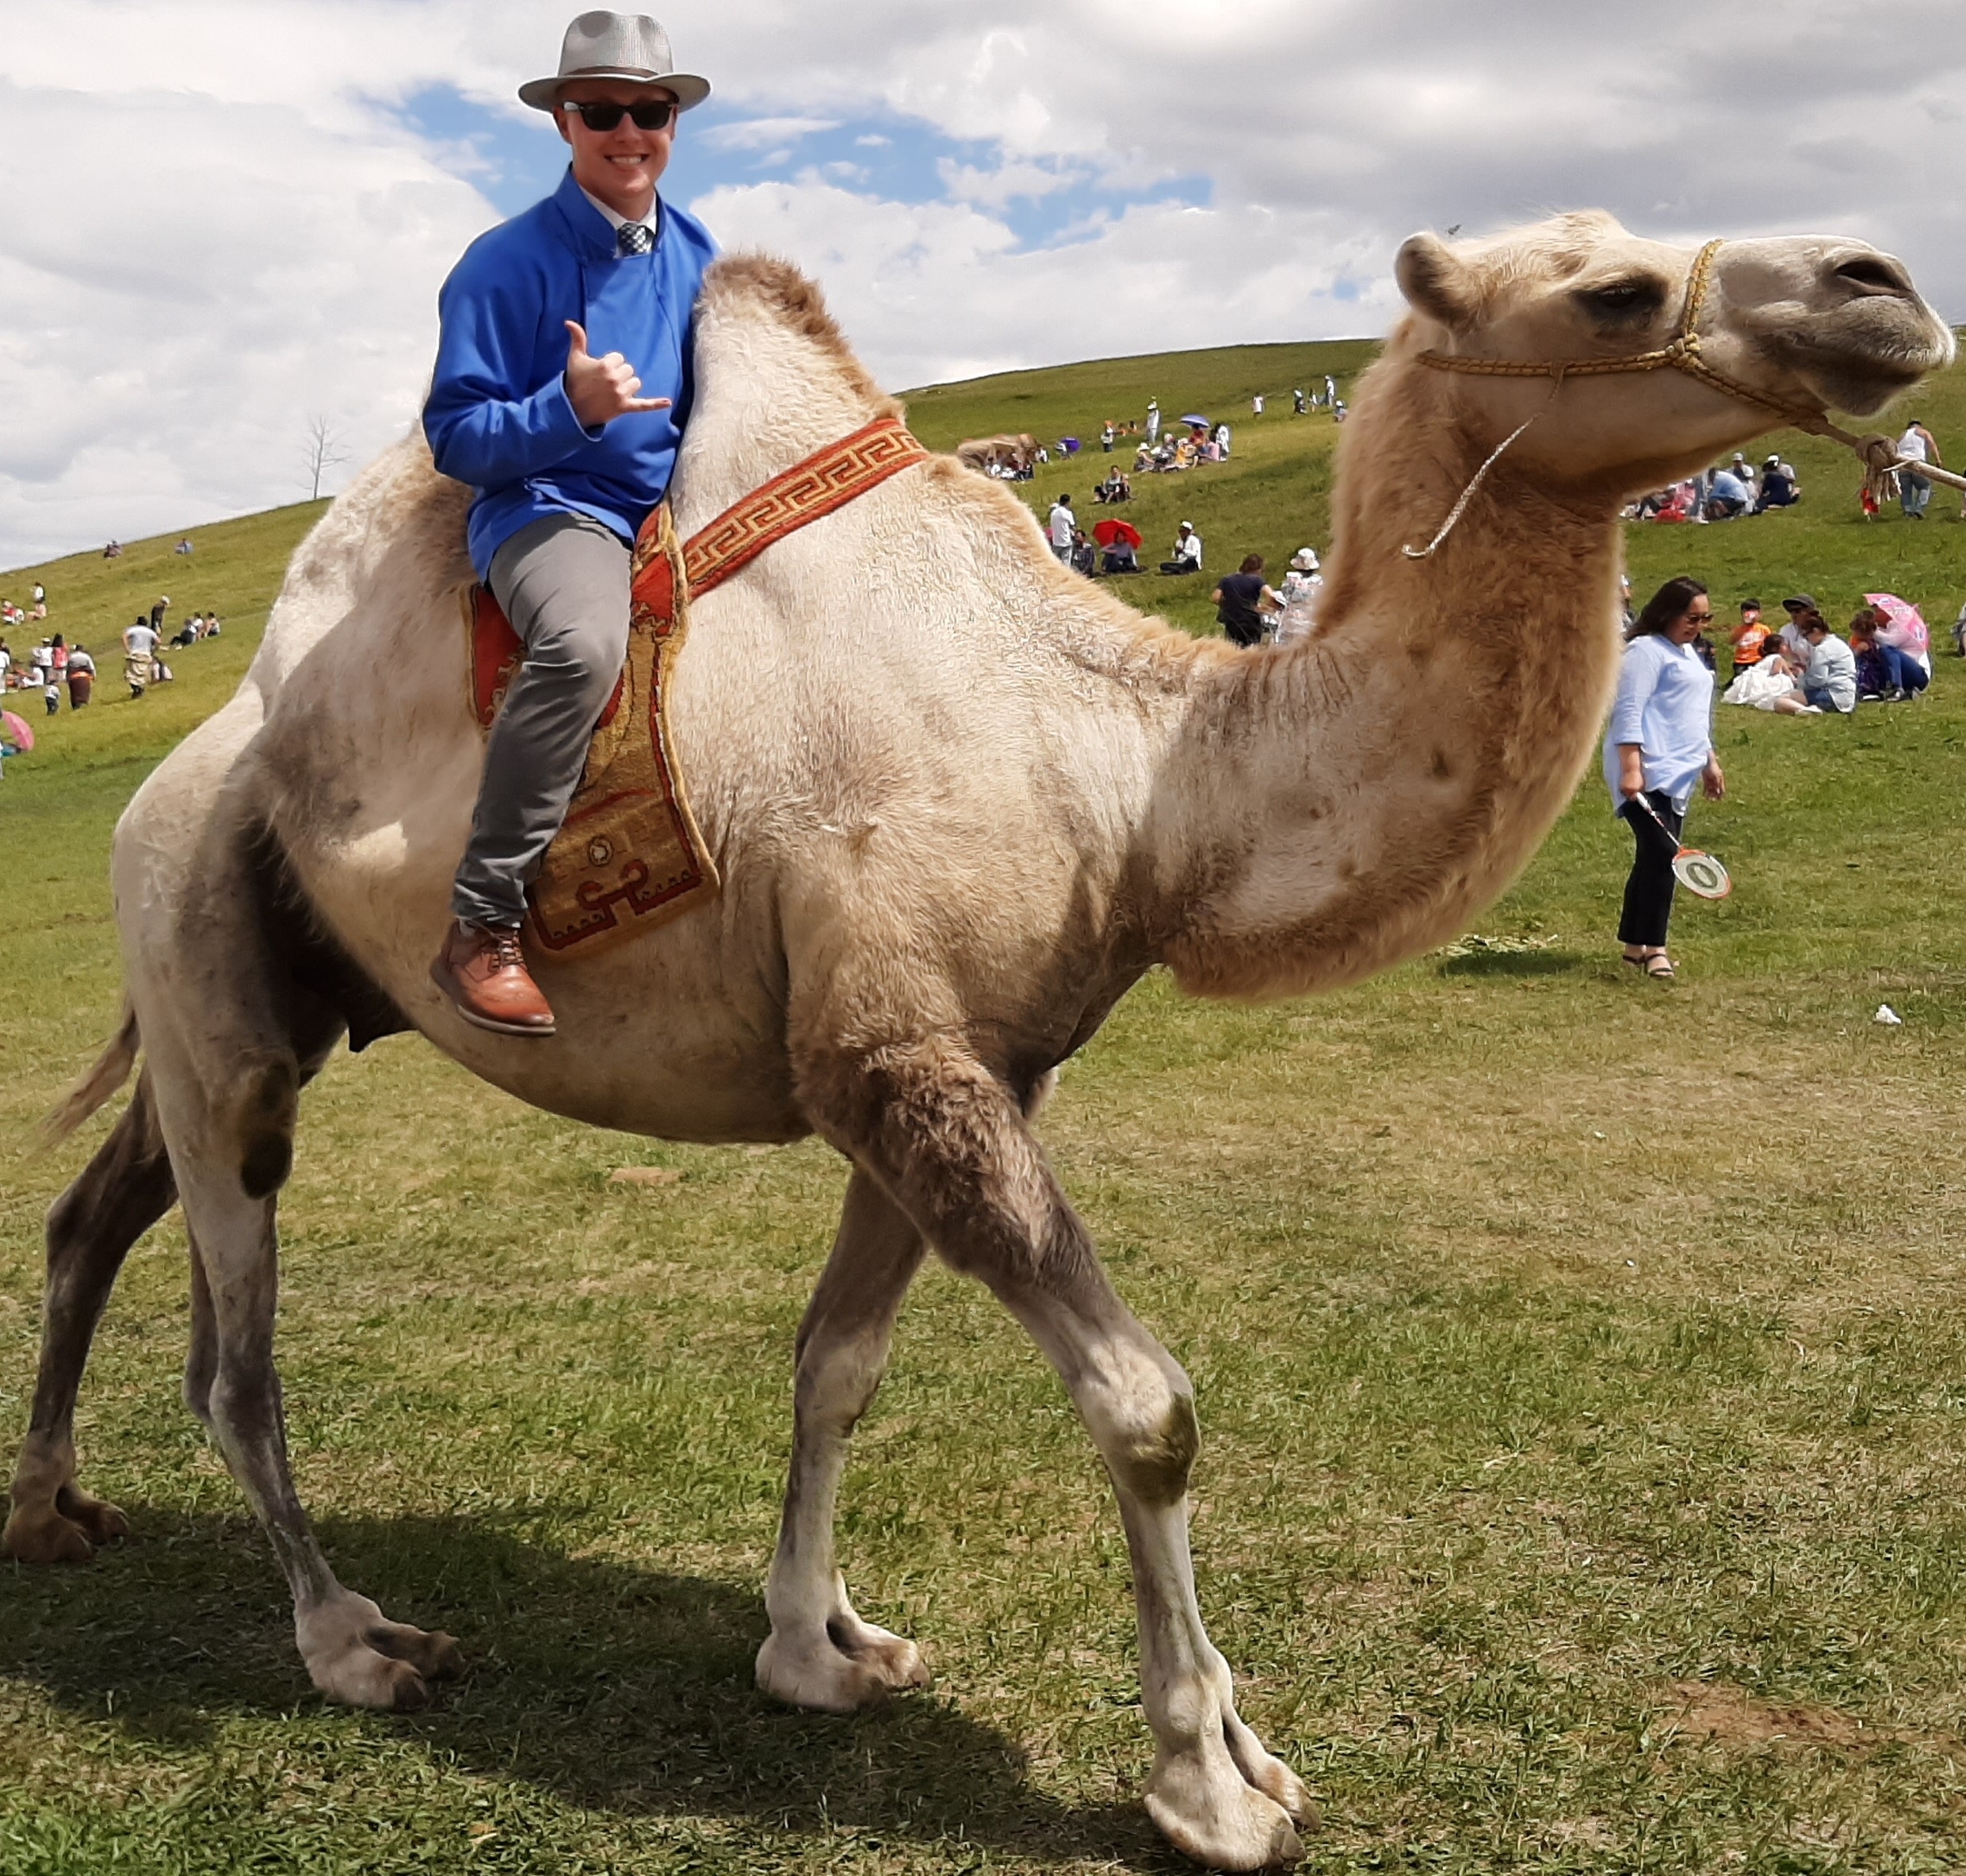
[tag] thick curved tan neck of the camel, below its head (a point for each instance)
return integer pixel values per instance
(1354, 799)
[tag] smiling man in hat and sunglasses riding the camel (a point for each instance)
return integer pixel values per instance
(561, 390)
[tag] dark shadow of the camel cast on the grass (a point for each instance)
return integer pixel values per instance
(608, 1686)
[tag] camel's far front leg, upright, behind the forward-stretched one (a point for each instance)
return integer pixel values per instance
(821, 1655)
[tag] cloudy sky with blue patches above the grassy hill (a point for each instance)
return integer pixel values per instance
(223, 219)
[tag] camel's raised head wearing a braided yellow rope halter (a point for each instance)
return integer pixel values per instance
(1784, 327)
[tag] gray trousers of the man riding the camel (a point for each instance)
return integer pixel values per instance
(563, 583)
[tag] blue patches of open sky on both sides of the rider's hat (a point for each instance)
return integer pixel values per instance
(516, 158)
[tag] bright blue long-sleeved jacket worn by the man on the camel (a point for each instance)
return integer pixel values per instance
(498, 414)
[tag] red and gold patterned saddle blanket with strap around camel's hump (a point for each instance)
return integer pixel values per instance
(630, 854)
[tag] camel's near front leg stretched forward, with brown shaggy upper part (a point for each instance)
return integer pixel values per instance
(953, 1147)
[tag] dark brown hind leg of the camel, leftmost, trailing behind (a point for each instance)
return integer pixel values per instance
(91, 1228)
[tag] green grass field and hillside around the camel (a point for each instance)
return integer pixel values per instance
(1580, 1364)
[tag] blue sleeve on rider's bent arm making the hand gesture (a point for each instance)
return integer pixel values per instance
(487, 422)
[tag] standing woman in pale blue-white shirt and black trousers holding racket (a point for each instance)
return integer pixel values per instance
(1658, 746)
